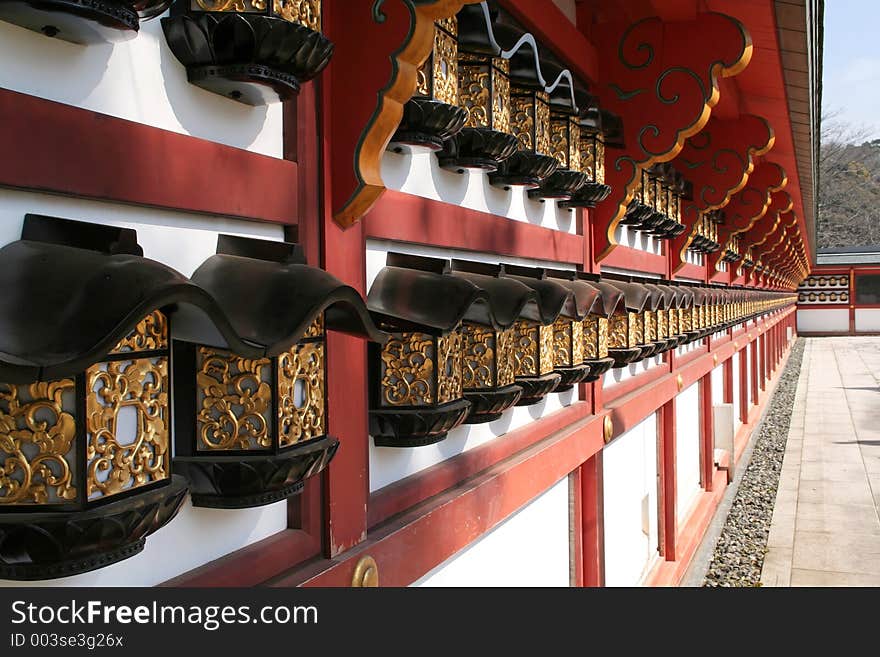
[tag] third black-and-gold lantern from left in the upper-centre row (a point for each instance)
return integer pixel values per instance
(529, 121)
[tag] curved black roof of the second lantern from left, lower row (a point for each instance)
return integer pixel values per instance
(268, 297)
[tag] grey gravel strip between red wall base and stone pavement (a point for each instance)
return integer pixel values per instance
(739, 552)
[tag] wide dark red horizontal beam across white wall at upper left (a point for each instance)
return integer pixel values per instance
(56, 148)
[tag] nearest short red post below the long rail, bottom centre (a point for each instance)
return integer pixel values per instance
(592, 521)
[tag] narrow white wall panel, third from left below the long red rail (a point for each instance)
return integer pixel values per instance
(687, 449)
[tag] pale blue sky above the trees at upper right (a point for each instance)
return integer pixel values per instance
(851, 78)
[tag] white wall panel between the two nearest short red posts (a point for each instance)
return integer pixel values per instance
(630, 504)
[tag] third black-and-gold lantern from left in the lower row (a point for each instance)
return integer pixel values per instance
(416, 378)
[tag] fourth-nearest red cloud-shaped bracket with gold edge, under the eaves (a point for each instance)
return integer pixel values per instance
(747, 206)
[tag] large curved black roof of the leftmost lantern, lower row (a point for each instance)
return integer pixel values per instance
(84, 287)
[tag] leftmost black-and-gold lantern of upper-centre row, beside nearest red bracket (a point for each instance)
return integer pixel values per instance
(433, 114)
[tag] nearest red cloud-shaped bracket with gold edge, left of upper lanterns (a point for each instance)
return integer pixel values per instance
(380, 46)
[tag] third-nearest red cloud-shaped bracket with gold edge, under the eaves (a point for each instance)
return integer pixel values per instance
(718, 162)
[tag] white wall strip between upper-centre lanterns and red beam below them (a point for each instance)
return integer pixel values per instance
(419, 173)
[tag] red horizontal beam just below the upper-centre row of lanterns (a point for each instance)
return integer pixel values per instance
(407, 218)
